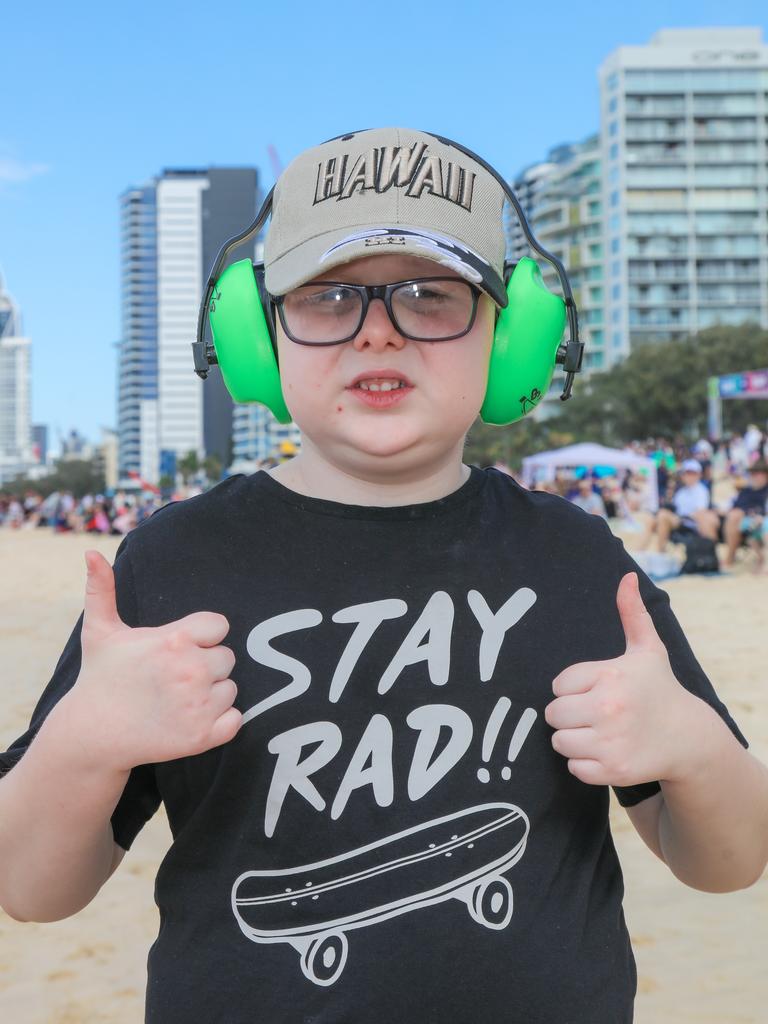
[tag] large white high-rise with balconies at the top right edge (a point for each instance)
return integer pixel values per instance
(685, 129)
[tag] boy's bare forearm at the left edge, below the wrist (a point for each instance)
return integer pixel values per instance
(57, 846)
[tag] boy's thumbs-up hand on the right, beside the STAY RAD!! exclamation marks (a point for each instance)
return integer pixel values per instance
(623, 721)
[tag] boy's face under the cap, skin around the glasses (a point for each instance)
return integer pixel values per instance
(429, 422)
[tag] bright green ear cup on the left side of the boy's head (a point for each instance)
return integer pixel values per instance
(241, 337)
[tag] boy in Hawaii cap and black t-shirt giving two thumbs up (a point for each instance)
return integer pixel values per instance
(430, 680)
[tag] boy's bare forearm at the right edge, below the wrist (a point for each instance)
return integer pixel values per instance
(713, 826)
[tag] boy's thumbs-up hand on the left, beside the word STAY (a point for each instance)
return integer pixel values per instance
(151, 694)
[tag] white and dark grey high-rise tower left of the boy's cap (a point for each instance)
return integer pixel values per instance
(173, 229)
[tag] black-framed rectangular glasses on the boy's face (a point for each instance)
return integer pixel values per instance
(330, 313)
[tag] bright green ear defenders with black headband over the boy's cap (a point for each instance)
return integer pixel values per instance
(527, 346)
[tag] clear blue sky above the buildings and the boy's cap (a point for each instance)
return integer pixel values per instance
(98, 98)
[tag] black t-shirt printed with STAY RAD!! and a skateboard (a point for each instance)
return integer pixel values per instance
(391, 837)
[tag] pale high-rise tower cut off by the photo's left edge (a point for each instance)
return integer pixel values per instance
(17, 455)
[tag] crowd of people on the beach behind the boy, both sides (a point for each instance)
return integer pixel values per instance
(686, 474)
